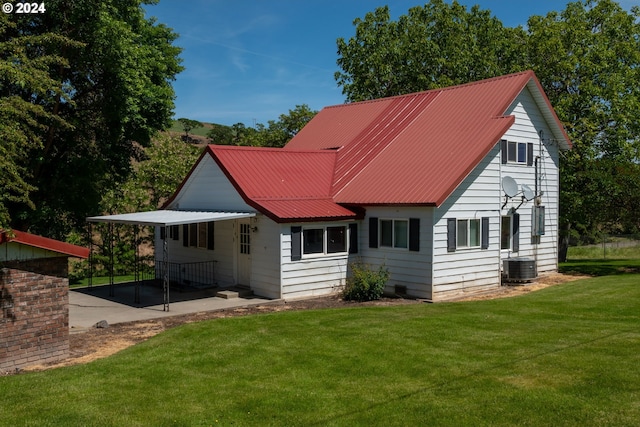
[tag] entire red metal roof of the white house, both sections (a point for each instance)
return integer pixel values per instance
(406, 150)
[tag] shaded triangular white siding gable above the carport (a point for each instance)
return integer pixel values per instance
(208, 188)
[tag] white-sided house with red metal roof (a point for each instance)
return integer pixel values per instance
(439, 186)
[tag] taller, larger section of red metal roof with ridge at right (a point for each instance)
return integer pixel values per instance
(417, 148)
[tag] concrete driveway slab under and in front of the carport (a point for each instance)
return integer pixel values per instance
(88, 306)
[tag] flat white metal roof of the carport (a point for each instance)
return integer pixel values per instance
(164, 218)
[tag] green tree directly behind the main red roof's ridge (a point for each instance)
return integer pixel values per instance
(433, 46)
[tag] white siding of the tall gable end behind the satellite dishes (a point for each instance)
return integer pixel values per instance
(529, 121)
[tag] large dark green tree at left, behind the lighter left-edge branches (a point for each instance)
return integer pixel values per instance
(112, 91)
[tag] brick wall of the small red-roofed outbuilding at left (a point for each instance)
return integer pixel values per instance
(34, 312)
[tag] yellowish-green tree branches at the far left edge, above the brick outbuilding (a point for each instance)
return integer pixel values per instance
(24, 71)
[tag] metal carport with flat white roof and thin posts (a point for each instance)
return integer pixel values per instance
(163, 219)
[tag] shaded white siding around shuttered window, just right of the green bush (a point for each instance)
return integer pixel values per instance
(406, 268)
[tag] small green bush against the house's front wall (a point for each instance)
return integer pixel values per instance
(365, 283)
